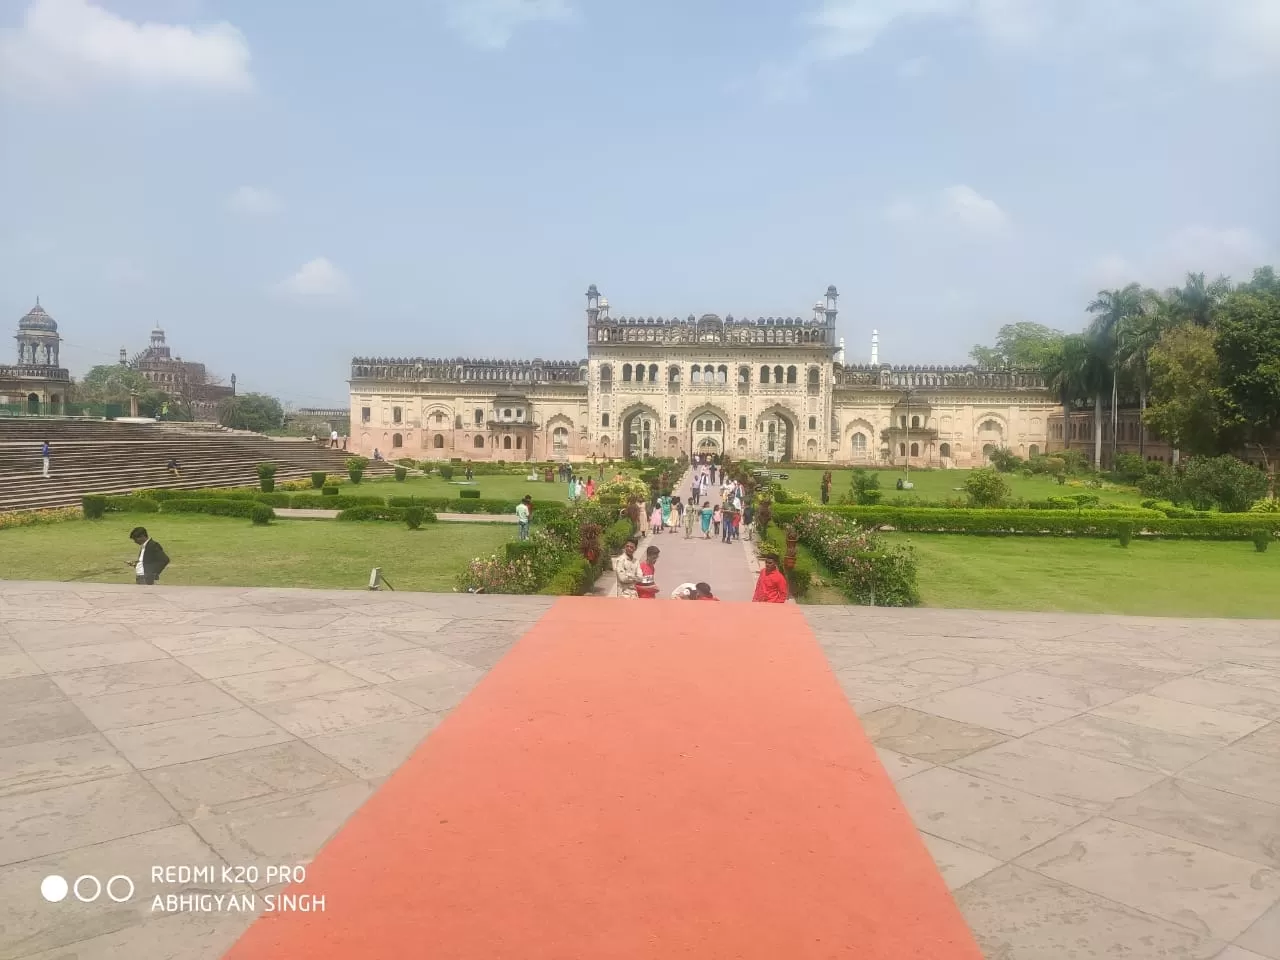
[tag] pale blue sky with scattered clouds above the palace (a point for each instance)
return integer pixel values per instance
(285, 186)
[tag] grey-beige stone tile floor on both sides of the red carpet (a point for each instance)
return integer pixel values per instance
(1090, 787)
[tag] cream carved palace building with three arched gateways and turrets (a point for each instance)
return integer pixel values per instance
(766, 390)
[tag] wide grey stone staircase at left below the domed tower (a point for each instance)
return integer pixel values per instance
(113, 458)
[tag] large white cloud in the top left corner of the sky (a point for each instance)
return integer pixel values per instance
(70, 45)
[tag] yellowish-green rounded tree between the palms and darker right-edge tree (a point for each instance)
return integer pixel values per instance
(1185, 404)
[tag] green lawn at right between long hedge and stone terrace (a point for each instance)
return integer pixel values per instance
(1164, 578)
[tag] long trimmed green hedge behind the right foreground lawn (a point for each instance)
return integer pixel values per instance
(1028, 523)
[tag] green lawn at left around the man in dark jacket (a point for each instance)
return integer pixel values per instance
(232, 552)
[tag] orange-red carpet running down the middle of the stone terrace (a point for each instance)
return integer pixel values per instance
(636, 780)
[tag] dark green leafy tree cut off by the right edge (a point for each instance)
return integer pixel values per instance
(1249, 353)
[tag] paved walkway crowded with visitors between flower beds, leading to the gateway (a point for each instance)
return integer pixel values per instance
(730, 569)
